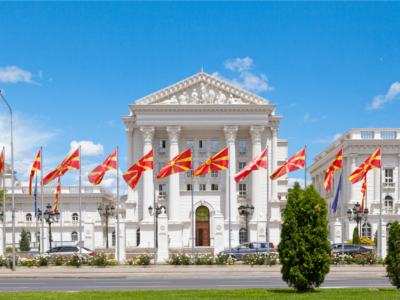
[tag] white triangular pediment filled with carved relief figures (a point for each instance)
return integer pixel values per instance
(202, 88)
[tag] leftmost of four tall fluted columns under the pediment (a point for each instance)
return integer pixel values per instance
(148, 184)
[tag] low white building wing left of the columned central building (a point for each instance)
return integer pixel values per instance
(93, 225)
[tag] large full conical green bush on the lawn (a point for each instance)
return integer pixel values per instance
(304, 239)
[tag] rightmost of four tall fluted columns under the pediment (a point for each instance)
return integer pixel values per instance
(256, 185)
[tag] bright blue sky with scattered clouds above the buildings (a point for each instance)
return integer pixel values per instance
(70, 69)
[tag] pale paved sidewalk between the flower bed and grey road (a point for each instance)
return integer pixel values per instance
(180, 272)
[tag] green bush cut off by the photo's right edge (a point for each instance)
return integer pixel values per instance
(393, 255)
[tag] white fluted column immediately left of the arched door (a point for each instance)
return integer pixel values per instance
(173, 194)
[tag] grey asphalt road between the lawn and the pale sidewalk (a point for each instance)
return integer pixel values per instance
(9, 285)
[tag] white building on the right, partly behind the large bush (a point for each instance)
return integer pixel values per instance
(358, 145)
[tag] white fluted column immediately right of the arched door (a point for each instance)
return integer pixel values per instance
(230, 135)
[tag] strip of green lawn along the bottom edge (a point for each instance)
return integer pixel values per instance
(360, 293)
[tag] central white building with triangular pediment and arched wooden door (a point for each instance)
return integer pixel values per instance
(207, 115)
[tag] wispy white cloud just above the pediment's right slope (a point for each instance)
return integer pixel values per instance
(248, 81)
